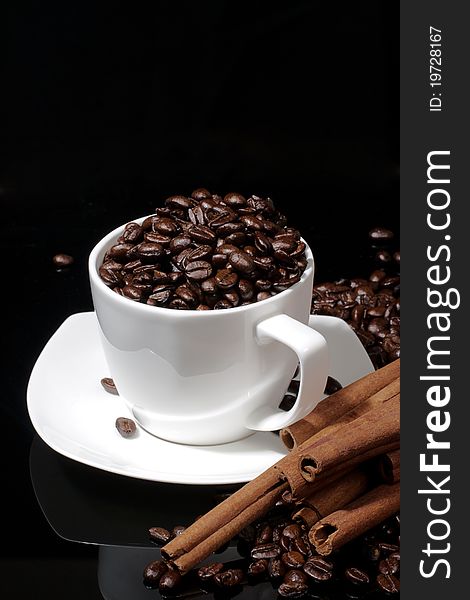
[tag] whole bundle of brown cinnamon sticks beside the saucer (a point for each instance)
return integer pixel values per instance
(343, 474)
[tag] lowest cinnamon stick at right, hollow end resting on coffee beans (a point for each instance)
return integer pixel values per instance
(356, 518)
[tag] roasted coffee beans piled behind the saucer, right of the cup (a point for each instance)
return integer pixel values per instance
(370, 305)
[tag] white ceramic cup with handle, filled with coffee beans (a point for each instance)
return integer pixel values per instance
(214, 376)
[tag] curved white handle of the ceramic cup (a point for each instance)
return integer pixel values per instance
(312, 352)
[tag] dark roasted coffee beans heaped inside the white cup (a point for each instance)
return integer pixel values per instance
(206, 252)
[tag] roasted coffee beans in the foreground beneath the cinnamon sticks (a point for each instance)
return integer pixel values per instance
(276, 550)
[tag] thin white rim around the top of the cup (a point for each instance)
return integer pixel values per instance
(139, 306)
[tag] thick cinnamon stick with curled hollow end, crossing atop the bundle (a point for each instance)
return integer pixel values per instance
(375, 433)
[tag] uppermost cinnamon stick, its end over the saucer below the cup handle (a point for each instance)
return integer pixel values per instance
(332, 408)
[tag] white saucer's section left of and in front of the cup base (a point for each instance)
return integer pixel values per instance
(75, 416)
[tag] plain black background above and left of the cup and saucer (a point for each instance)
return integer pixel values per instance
(111, 110)
